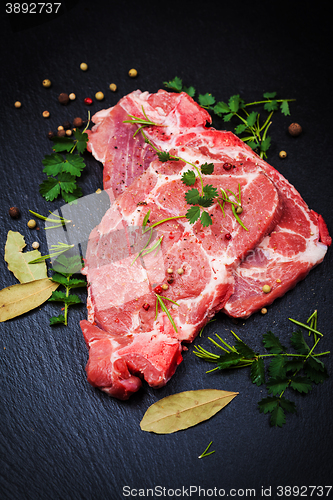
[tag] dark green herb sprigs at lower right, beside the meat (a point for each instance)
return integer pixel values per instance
(296, 371)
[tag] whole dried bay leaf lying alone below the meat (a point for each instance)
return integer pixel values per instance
(183, 410)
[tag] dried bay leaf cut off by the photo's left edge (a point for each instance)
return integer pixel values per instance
(21, 298)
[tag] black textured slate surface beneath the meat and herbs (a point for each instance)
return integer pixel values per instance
(62, 439)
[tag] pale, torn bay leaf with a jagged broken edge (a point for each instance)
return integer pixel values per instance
(18, 262)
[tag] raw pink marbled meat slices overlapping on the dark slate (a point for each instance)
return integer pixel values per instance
(128, 338)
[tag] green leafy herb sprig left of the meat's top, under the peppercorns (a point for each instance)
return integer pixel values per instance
(64, 169)
